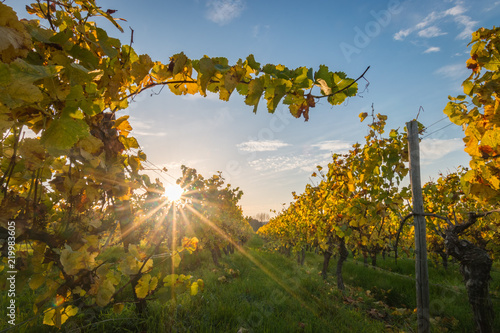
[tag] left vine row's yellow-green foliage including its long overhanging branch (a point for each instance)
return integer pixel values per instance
(72, 187)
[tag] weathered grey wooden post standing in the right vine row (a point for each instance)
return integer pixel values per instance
(421, 271)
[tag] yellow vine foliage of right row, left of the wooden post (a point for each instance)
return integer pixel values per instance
(358, 194)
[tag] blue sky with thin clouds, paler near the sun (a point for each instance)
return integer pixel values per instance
(416, 49)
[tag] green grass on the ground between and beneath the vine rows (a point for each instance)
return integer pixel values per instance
(272, 293)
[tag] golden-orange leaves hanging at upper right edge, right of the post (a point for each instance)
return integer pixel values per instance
(481, 118)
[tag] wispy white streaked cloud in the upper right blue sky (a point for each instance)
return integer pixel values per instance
(427, 27)
